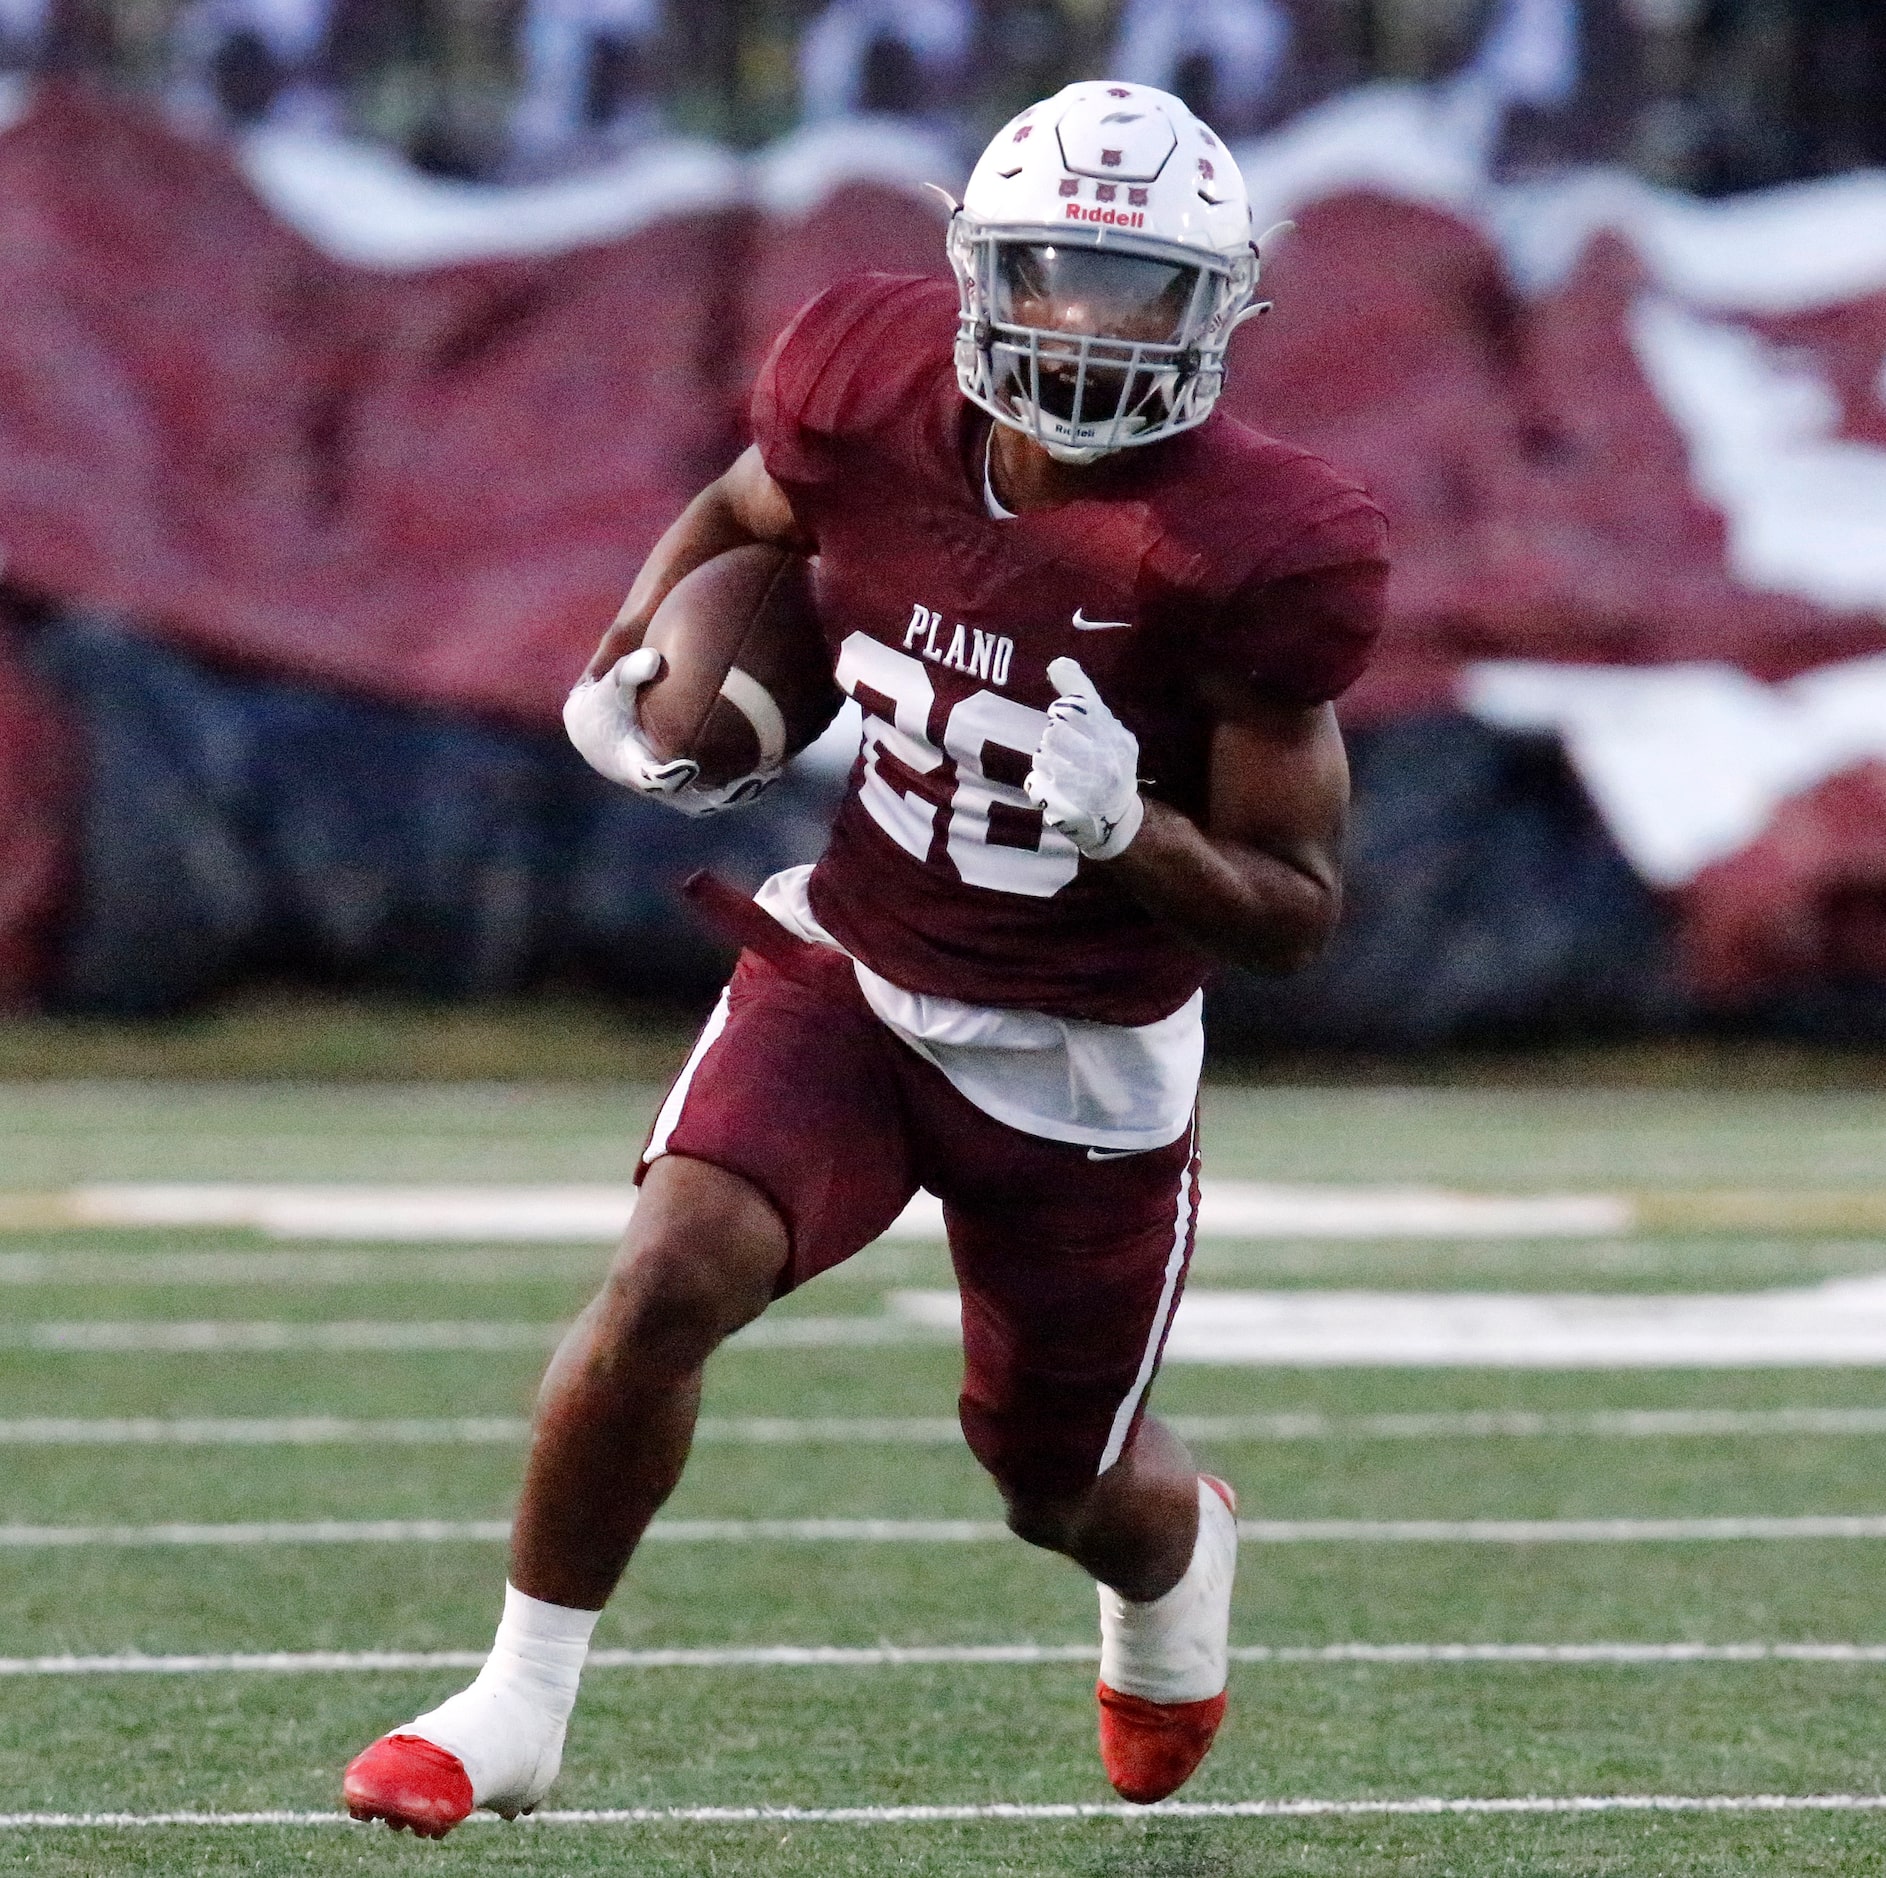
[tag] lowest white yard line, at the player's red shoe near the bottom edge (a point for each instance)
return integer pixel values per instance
(999, 1811)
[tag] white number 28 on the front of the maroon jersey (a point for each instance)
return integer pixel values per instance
(997, 836)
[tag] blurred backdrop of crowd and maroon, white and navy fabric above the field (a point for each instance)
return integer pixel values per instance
(344, 391)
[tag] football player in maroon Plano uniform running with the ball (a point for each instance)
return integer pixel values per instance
(1095, 633)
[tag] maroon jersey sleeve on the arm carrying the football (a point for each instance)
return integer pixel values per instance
(838, 374)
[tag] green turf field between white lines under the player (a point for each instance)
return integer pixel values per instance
(865, 1734)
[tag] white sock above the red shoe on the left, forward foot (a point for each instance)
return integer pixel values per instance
(508, 1728)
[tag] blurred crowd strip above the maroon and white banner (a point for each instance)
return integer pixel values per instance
(1710, 95)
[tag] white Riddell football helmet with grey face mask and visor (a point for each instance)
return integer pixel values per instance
(1104, 255)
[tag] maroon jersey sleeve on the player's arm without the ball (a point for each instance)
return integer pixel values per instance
(1304, 627)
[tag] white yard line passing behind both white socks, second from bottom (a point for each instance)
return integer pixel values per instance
(902, 1656)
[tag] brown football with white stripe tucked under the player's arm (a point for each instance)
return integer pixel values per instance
(748, 680)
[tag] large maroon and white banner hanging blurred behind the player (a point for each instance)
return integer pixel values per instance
(303, 412)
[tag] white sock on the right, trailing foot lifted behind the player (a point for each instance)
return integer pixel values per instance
(1178, 1649)
